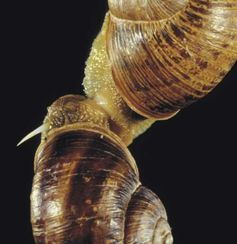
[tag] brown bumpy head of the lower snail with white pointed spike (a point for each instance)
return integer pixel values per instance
(70, 110)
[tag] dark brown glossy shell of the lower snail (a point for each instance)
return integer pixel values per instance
(86, 189)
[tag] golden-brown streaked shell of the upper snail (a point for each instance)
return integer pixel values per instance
(165, 58)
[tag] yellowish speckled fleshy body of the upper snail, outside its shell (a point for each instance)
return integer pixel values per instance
(99, 86)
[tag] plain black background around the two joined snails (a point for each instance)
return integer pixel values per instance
(189, 161)
